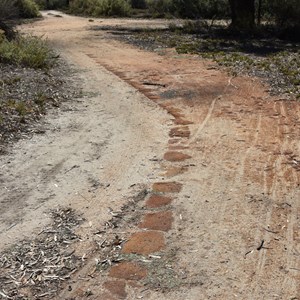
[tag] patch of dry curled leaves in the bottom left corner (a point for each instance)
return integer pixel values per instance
(35, 269)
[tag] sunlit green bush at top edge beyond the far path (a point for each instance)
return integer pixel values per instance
(99, 8)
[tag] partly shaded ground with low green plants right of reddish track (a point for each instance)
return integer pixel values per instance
(262, 55)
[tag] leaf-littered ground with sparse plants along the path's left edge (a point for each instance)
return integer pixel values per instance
(25, 96)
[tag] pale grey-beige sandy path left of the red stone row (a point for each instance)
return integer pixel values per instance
(92, 140)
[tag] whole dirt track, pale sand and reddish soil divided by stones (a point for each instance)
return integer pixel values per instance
(232, 152)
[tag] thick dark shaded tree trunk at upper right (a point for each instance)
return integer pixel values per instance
(242, 14)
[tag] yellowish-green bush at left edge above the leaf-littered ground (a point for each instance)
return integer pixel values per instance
(26, 51)
